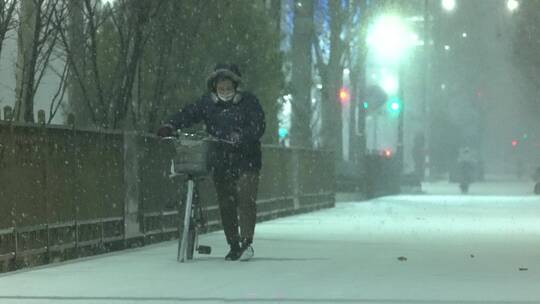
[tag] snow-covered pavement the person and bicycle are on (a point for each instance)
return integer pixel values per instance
(402, 249)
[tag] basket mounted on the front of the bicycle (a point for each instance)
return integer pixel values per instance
(192, 156)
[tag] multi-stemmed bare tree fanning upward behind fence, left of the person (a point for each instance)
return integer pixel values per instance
(107, 74)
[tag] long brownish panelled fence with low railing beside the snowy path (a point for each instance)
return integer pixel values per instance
(66, 193)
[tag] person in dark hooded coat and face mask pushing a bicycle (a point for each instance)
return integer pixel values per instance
(235, 116)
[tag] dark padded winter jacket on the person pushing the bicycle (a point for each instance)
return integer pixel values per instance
(243, 115)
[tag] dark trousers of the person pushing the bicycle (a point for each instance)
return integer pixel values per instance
(237, 197)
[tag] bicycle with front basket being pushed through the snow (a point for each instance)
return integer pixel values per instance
(191, 163)
